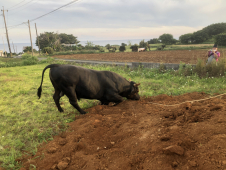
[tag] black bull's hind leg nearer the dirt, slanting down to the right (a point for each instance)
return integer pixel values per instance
(70, 93)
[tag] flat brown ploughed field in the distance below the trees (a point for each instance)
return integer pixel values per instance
(174, 56)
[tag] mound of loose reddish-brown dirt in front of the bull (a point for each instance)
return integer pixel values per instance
(139, 135)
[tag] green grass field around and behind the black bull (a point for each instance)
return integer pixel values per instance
(26, 121)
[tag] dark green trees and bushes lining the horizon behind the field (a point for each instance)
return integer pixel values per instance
(54, 42)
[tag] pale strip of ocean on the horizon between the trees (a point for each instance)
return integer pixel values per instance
(18, 47)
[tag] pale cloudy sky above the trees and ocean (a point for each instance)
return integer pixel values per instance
(96, 20)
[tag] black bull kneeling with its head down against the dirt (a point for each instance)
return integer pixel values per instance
(78, 82)
